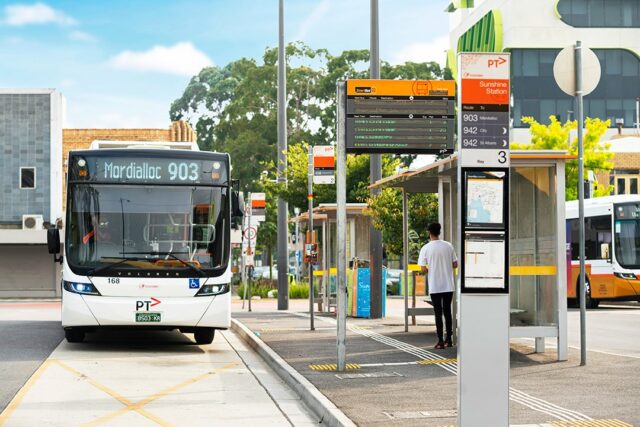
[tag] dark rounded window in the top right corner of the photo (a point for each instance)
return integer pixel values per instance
(600, 13)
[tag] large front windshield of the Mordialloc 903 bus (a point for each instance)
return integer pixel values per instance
(150, 230)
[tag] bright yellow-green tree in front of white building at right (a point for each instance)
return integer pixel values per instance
(555, 136)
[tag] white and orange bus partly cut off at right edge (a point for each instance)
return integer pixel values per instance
(612, 248)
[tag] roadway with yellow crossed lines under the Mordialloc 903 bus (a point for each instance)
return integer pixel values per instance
(133, 378)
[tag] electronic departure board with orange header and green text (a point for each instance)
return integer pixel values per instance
(400, 116)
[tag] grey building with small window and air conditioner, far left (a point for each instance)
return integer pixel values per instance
(30, 188)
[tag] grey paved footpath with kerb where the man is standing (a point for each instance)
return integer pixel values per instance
(398, 378)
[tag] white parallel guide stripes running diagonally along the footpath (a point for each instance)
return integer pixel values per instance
(515, 395)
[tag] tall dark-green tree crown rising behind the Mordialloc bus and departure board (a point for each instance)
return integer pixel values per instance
(234, 108)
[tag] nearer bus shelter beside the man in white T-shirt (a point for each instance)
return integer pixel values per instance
(537, 237)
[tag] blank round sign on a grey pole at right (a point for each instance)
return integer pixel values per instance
(565, 74)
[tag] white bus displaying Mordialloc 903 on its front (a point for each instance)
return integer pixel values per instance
(147, 240)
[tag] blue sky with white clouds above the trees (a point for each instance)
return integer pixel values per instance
(120, 63)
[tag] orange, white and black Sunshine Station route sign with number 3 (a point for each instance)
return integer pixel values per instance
(484, 109)
